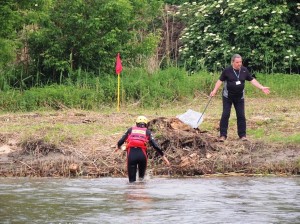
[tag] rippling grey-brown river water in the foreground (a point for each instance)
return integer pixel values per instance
(157, 200)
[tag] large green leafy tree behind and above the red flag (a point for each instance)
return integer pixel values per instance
(87, 34)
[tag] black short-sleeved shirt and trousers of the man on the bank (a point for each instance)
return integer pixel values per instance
(233, 93)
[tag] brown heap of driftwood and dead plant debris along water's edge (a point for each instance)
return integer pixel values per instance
(190, 151)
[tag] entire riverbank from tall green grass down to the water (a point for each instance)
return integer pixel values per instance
(72, 128)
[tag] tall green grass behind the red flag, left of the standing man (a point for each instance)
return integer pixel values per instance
(93, 92)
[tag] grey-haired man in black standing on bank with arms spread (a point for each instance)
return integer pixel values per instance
(234, 78)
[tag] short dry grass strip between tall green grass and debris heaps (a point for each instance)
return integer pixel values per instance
(265, 122)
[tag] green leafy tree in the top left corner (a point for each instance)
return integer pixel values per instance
(17, 19)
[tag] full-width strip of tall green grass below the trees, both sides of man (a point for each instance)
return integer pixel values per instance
(164, 87)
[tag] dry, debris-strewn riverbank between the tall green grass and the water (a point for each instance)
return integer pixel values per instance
(52, 143)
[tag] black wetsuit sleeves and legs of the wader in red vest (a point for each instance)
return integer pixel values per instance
(136, 156)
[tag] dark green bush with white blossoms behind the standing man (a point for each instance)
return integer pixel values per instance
(265, 32)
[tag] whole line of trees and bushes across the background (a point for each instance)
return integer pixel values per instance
(48, 41)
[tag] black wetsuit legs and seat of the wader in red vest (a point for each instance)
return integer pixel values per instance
(136, 159)
